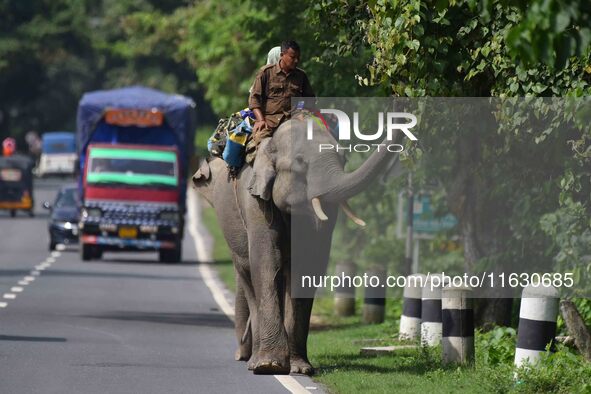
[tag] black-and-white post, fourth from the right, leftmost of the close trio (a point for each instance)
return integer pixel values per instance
(410, 320)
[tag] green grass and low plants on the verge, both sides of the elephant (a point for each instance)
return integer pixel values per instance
(335, 342)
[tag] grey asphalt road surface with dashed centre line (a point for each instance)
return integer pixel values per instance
(124, 324)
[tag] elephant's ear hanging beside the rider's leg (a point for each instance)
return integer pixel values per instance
(263, 170)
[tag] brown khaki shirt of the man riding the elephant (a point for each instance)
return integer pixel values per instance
(273, 89)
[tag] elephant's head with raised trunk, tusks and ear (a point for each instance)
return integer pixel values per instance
(301, 178)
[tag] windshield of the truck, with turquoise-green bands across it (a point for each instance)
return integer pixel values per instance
(139, 167)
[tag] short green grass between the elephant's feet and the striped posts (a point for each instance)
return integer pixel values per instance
(342, 369)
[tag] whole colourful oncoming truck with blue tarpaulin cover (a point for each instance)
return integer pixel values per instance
(134, 146)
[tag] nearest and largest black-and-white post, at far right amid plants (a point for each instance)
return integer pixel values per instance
(537, 323)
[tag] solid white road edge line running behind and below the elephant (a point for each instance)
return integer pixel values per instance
(204, 248)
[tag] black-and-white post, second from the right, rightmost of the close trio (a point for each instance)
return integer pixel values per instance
(457, 323)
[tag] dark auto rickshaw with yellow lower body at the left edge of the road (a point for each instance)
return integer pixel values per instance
(16, 184)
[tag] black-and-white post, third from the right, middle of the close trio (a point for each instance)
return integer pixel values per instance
(431, 311)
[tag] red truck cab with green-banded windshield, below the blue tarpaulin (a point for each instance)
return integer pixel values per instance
(131, 200)
